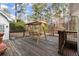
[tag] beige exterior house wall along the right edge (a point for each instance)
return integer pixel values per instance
(74, 8)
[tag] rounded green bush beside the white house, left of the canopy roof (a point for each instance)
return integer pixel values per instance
(17, 26)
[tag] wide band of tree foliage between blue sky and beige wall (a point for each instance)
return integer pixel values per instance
(44, 11)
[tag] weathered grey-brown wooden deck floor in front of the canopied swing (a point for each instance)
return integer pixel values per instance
(29, 47)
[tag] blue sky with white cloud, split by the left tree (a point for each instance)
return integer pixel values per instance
(11, 6)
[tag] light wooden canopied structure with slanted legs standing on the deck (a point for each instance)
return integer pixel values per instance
(34, 29)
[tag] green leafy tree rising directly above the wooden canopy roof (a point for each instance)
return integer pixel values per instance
(37, 10)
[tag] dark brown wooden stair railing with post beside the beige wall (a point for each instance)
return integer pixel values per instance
(67, 42)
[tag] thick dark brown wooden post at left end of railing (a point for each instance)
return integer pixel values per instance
(62, 40)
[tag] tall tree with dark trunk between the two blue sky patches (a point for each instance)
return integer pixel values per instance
(20, 9)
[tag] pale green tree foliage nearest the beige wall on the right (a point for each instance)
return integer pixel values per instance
(60, 10)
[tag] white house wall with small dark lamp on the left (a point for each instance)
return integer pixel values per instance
(5, 23)
